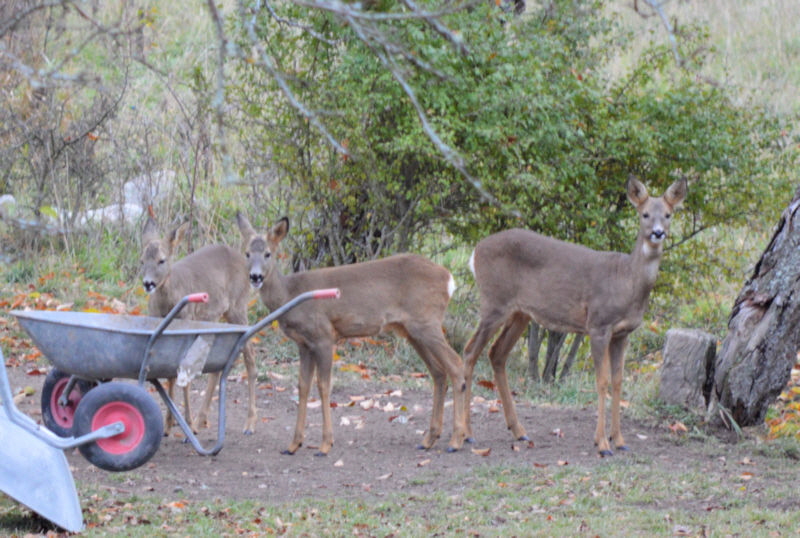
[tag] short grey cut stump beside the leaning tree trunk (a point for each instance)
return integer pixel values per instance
(687, 374)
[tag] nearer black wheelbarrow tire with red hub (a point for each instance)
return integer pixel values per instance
(140, 414)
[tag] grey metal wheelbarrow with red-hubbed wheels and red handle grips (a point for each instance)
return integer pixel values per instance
(89, 350)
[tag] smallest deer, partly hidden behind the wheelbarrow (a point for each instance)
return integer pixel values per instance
(220, 271)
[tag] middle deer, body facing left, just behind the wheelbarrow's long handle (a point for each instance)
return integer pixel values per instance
(404, 293)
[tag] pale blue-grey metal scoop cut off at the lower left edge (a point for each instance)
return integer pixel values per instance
(32, 471)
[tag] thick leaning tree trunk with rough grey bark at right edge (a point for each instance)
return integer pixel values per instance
(763, 337)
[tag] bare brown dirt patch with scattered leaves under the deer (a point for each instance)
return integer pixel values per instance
(376, 430)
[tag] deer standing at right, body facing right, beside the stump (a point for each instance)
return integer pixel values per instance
(565, 287)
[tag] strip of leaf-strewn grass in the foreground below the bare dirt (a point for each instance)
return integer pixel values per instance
(622, 497)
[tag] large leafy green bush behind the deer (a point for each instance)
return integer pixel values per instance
(532, 109)
